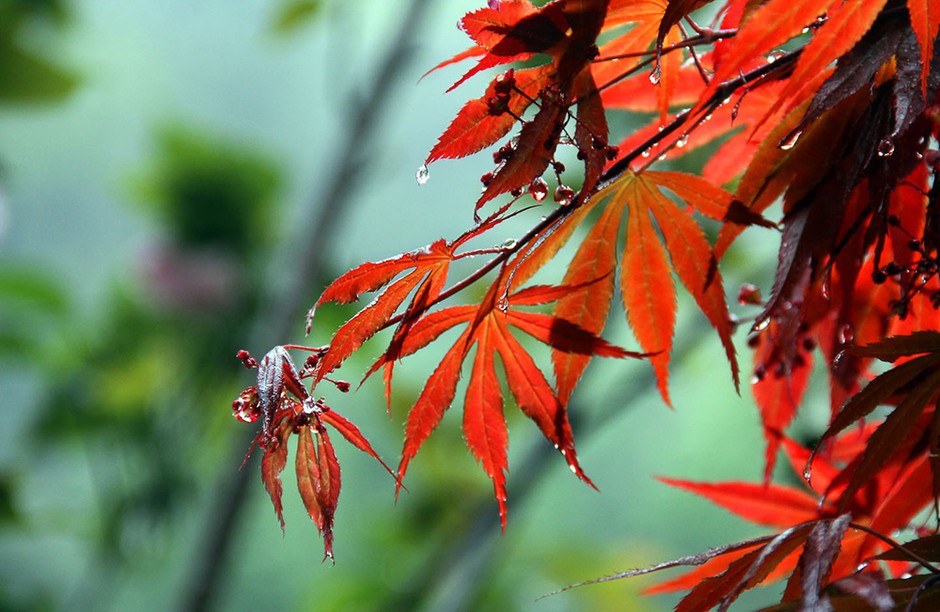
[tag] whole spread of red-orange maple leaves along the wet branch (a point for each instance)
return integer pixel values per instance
(827, 107)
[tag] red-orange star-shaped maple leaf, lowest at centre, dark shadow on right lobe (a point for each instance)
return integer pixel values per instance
(488, 329)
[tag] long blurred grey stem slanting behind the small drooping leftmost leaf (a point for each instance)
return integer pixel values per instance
(275, 320)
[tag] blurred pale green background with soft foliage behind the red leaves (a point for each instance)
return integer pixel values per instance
(179, 180)
